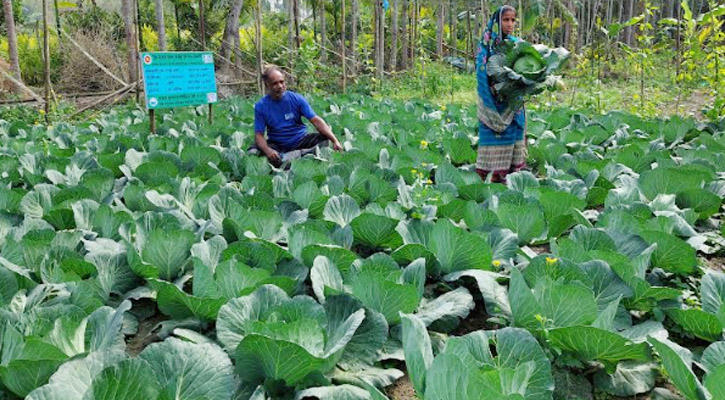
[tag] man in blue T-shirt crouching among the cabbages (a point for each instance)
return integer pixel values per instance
(280, 113)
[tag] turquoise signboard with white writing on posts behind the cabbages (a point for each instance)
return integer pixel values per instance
(178, 79)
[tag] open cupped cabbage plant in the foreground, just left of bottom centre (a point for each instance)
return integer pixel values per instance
(262, 326)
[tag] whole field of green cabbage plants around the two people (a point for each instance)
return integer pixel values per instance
(174, 266)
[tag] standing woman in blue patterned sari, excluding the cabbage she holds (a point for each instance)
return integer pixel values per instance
(501, 140)
